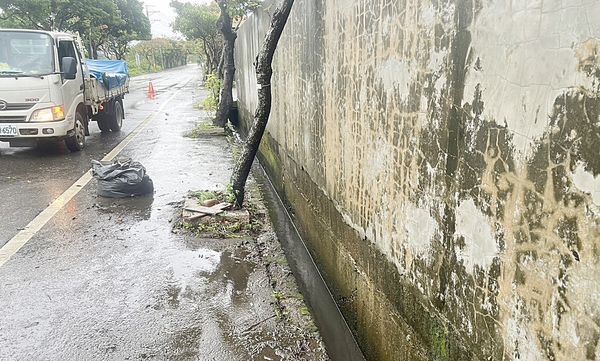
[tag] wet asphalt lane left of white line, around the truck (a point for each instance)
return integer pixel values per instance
(30, 178)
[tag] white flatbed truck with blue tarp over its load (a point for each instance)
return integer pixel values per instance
(47, 92)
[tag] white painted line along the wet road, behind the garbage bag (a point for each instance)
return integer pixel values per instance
(21, 238)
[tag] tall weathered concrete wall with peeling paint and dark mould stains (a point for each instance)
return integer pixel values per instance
(442, 159)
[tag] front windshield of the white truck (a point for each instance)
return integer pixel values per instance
(25, 54)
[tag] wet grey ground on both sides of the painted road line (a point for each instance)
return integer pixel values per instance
(116, 279)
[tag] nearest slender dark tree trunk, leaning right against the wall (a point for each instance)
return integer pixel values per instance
(264, 71)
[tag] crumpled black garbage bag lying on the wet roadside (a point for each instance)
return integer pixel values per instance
(122, 179)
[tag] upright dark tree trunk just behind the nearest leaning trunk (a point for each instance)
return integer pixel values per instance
(226, 99)
